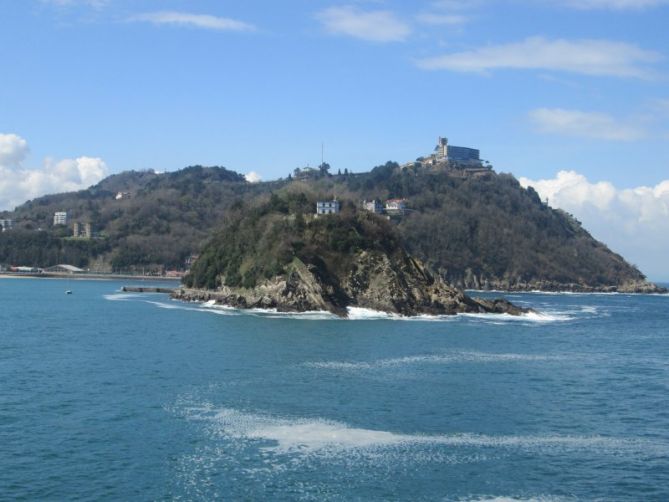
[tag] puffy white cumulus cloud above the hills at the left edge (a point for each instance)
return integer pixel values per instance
(19, 184)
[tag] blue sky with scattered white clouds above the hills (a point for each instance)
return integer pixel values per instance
(571, 96)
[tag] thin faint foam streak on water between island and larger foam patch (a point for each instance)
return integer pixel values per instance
(450, 358)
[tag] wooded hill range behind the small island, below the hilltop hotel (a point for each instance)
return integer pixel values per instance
(480, 231)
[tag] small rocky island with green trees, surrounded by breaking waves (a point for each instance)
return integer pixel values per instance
(279, 255)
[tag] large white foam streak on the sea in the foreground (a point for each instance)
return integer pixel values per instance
(319, 436)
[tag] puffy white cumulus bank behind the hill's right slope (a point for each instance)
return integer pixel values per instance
(632, 221)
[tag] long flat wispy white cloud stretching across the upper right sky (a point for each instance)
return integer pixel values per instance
(587, 57)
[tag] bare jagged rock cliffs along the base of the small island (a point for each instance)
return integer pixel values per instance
(399, 286)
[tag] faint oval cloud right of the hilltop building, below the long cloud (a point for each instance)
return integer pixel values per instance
(585, 124)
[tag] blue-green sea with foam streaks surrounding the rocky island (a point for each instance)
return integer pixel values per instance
(106, 395)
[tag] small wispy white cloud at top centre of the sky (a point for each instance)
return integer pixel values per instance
(376, 26)
